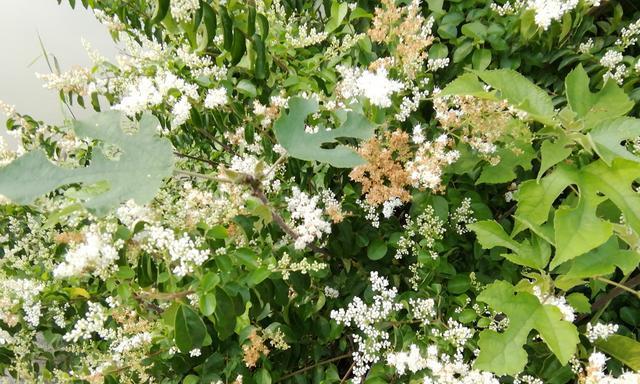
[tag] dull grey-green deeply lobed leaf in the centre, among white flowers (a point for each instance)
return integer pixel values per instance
(290, 132)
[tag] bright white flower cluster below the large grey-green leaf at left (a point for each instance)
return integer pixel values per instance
(96, 255)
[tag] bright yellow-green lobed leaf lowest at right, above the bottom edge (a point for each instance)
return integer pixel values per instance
(503, 353)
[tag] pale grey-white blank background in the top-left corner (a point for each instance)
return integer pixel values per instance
(61, 29)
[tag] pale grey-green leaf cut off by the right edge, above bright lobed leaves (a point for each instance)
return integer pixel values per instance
(609, 135)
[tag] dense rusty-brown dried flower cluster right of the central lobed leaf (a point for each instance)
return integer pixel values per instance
(384, 176)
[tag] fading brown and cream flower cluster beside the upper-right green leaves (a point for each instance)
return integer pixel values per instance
(482, 123)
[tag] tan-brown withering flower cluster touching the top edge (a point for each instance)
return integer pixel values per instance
(406, 30)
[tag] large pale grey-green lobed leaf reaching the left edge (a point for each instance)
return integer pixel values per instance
(134, 175)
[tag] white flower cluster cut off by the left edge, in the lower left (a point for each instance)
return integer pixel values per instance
(16, 291)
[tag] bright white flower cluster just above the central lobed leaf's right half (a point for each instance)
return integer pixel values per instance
(375, 86)
